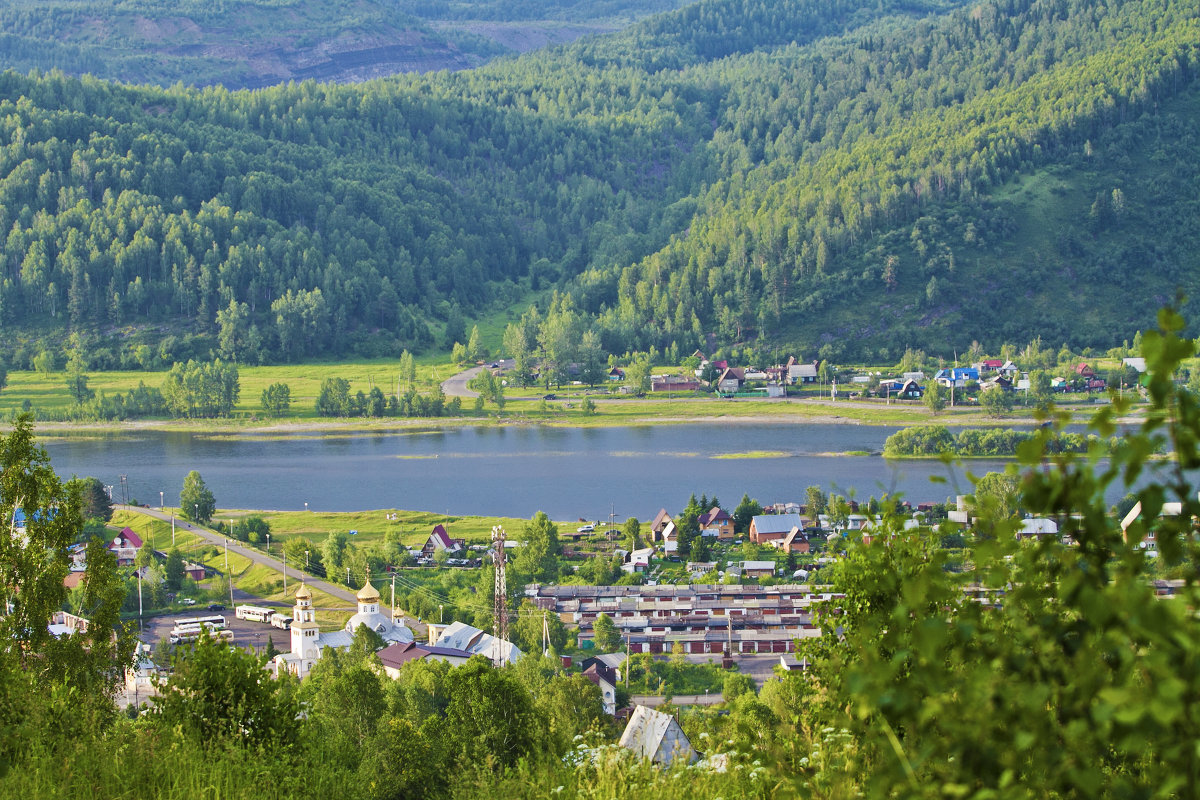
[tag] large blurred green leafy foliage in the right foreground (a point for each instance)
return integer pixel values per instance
(1079, 669)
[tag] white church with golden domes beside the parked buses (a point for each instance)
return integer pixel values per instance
(309, 643)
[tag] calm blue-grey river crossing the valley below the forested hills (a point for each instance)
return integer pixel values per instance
(568, 473)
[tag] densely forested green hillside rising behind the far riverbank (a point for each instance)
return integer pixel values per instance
(812, 173)
